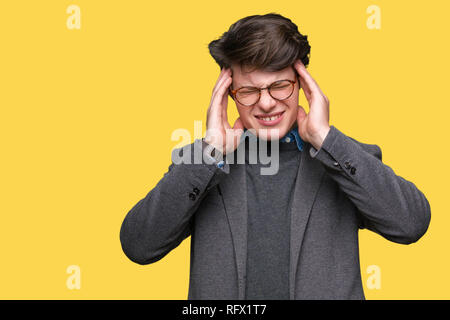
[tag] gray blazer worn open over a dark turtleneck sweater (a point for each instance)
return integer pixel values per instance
(340, 188)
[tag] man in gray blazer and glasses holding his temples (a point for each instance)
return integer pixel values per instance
(288, 235)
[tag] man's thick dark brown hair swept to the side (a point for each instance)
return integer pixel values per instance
(269, 42)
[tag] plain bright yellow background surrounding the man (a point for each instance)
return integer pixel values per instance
(87, 115)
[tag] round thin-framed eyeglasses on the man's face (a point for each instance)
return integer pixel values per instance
(249, 96)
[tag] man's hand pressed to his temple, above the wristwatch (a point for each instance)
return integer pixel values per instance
(217, 126)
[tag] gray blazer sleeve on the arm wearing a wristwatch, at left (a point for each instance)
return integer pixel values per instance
(163, 219)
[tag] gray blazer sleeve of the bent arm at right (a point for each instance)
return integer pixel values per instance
(387, 204)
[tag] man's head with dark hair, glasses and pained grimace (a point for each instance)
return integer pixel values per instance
(261, 51)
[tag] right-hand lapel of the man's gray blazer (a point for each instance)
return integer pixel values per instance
(309, 177)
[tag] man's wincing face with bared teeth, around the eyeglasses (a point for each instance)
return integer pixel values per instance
(251, 116)
